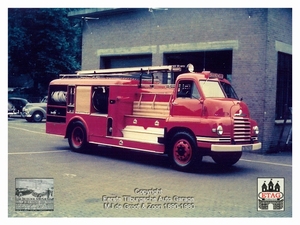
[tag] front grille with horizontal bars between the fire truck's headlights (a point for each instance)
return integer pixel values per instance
(241, 129)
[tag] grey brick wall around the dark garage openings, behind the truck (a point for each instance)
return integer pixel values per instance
(254, 31)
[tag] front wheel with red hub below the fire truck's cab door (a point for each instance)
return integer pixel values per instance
(183, 152)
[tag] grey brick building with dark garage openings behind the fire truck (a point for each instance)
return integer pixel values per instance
(244, 44)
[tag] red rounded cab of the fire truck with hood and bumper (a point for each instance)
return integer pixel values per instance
(212, 115)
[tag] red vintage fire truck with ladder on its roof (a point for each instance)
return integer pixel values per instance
(129, 108)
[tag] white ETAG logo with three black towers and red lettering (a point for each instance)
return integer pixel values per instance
(270, 194)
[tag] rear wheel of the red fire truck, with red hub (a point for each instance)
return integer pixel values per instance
(77, 137)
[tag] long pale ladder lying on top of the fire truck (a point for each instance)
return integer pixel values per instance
(132, 72)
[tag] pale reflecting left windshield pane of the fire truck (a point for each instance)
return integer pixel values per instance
(211, 89)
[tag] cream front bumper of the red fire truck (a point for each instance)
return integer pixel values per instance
(235, 148)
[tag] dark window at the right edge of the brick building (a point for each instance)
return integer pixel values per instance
(284, 86)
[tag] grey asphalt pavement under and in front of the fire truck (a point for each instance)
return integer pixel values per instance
(85, 185)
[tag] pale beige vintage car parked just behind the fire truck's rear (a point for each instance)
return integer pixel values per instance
(35, 112)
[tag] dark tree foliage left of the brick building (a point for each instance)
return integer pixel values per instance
(42, 43)
